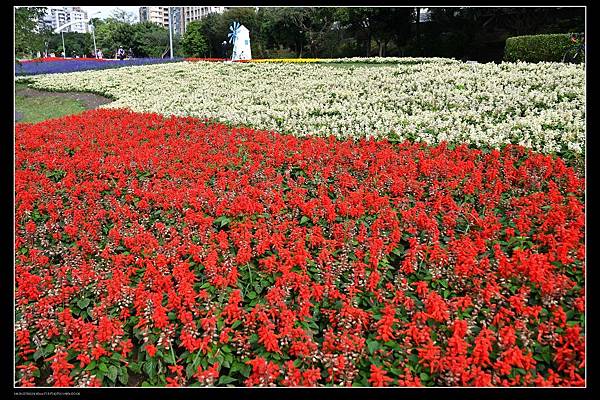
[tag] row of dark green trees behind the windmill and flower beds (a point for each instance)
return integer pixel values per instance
(475, 33)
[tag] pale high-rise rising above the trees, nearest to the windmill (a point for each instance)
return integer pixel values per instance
(182, 16)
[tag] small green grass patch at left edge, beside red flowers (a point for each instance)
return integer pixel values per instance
(40, 108)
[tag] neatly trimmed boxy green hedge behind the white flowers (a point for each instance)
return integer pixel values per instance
(536, 48)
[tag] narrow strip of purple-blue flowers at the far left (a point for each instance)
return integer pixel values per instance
(73, 65)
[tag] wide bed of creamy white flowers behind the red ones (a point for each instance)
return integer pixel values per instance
(541, 106)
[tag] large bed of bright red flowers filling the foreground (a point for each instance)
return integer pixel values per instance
(170, 251)
